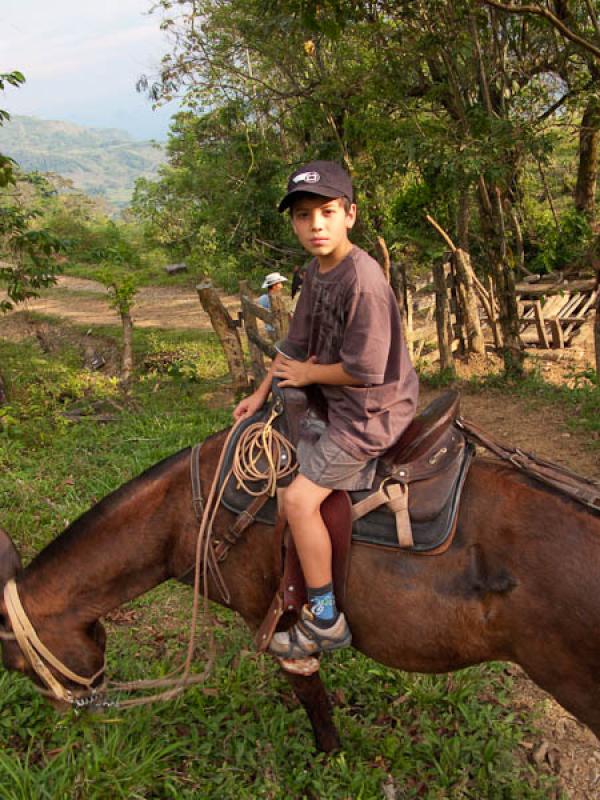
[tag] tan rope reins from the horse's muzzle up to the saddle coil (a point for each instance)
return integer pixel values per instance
(258, 439)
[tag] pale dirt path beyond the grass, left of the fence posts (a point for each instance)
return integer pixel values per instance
(85, 302)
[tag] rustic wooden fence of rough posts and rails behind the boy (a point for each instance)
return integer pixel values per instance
(442, 313)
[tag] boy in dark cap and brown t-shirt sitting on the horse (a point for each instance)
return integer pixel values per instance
(346, 337)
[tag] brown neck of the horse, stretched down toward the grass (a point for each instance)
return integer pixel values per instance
(116, 551)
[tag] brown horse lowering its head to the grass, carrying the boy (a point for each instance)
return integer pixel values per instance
(519, 583)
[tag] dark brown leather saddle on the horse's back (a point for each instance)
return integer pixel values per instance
(414, 502)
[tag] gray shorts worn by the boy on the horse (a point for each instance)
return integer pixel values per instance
(325, 463)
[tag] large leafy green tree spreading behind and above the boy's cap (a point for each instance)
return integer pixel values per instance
(435, 107)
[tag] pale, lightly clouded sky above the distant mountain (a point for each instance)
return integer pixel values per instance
(81, 61)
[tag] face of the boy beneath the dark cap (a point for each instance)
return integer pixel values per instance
(321, 225)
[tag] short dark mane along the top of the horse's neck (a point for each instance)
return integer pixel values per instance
(104, 508)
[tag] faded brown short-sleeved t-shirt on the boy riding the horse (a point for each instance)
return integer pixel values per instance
(350, 315)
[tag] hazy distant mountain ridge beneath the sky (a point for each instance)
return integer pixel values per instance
(100, 162)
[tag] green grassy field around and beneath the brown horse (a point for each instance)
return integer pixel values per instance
(243, 734)
